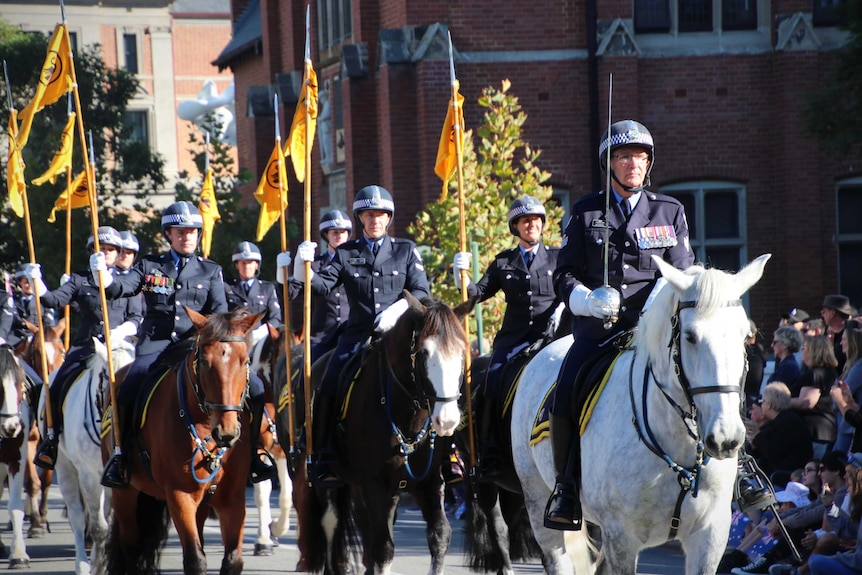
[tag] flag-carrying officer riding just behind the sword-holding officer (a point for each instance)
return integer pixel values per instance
(525, 275)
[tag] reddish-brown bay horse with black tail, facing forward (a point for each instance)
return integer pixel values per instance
(189, 455)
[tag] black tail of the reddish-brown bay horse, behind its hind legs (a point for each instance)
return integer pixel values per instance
(143, 555)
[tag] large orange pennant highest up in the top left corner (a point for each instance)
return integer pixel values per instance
(54, 80)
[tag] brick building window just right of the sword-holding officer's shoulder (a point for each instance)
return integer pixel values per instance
(716, 221)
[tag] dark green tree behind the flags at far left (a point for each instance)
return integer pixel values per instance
(124, 166)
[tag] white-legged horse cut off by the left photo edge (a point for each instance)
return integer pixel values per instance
(14, 427)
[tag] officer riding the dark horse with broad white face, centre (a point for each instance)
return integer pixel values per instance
(374, 270)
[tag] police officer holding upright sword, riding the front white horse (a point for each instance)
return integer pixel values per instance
(640, 224)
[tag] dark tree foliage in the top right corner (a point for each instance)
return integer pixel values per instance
(833, 115)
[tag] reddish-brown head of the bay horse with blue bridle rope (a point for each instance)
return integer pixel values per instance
(222, 368)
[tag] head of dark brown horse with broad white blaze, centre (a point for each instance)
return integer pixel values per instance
(430, 336)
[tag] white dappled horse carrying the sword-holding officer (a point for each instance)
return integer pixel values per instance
(659, 454)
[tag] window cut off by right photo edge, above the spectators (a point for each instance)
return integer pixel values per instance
(849, 238)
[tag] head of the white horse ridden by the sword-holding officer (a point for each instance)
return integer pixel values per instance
(699, 316)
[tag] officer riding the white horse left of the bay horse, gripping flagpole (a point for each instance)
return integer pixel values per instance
(124, 317)
